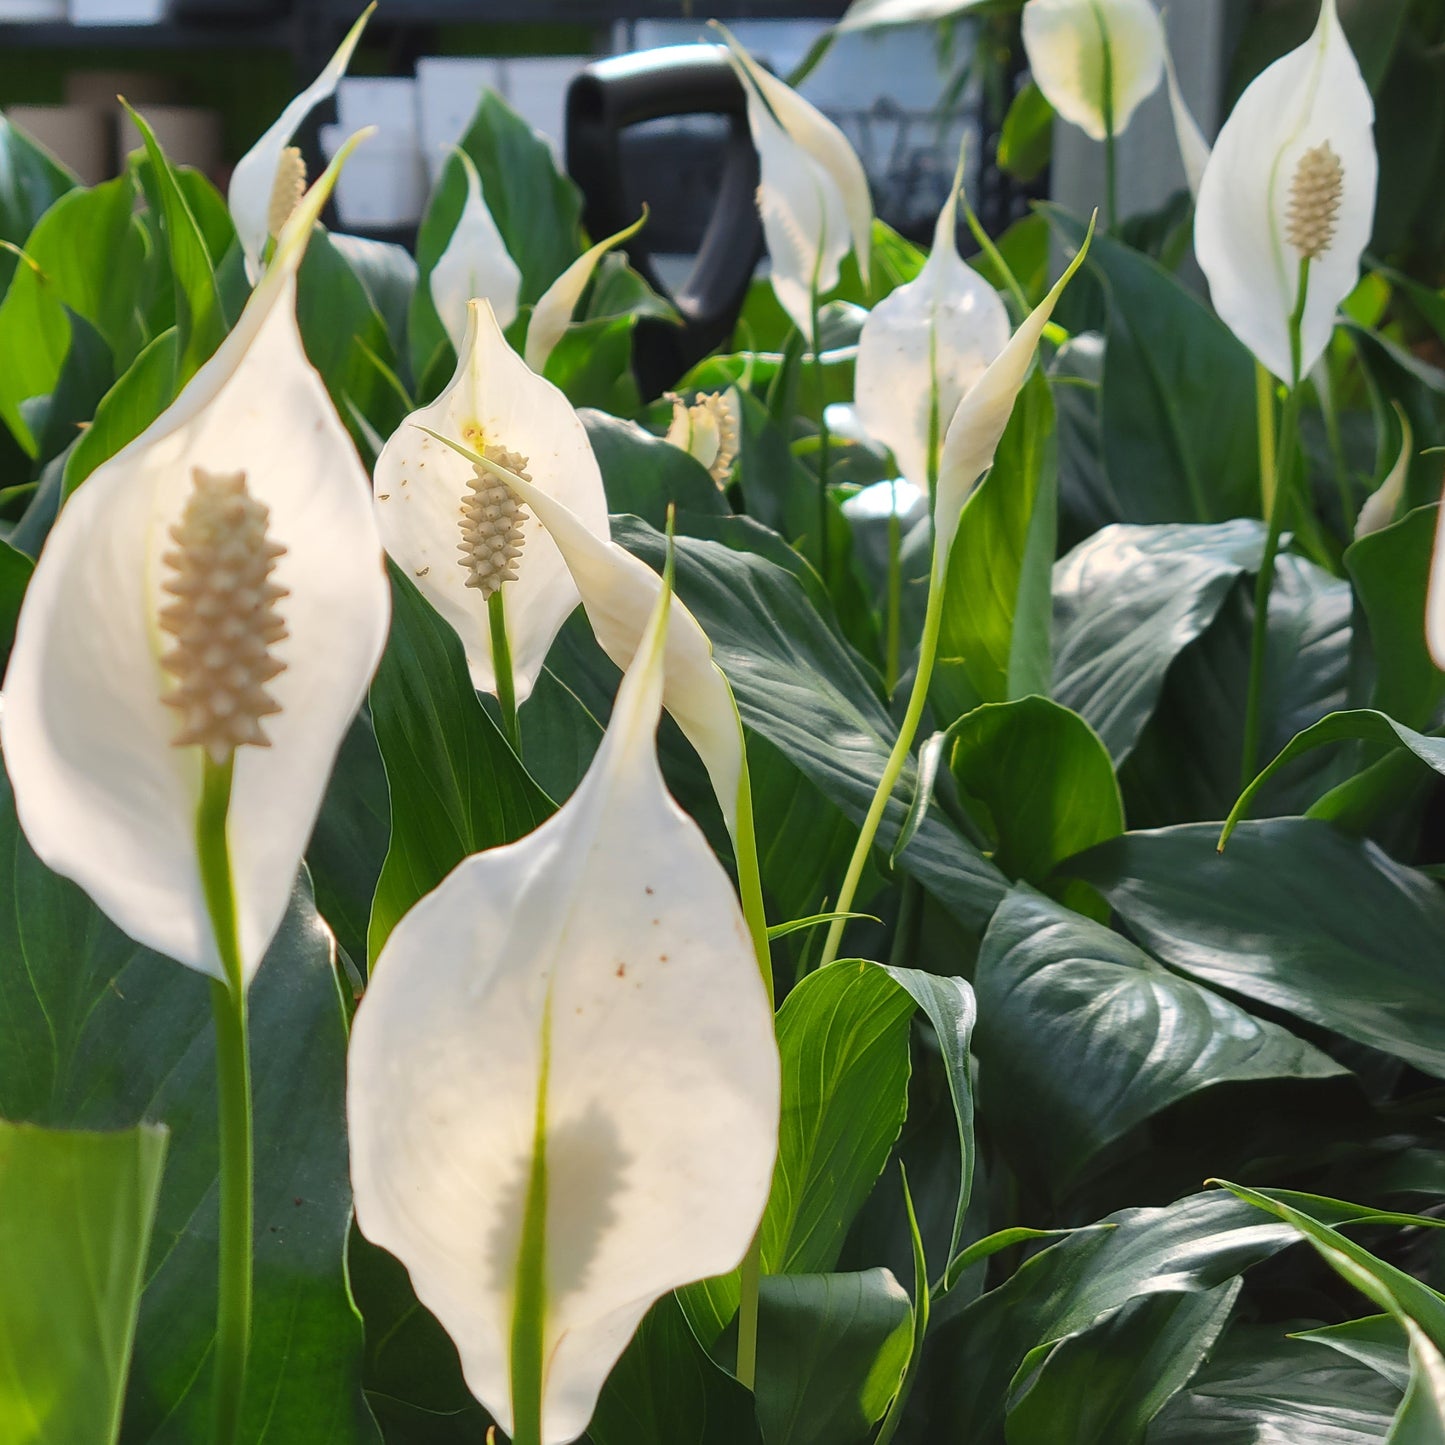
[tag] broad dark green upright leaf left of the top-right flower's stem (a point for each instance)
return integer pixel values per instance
(1178, 395)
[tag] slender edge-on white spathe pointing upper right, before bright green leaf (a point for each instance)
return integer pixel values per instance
(979, 424)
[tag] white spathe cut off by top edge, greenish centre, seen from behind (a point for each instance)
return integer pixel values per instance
(1069, 43)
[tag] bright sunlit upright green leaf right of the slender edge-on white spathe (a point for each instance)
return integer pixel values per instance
(996, 609)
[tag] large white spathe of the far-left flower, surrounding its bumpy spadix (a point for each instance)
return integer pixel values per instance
(106, 784)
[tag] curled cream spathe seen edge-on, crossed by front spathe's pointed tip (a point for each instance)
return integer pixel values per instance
(619, 593)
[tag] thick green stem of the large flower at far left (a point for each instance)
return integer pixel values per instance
(233, 1317)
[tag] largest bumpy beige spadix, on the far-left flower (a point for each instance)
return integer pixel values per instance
(225, 621)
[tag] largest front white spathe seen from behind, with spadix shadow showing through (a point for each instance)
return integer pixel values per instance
(563, 1084)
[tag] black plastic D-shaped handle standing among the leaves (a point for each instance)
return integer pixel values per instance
(626, 90)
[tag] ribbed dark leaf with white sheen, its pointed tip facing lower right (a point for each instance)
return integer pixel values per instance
(1083, 1037)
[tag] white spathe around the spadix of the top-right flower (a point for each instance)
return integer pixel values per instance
(1307, 99)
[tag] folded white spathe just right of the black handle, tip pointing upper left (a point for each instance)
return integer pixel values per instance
(813, 197)
